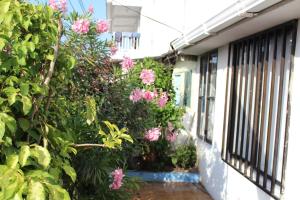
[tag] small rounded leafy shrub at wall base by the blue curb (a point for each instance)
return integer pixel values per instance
(184, 156)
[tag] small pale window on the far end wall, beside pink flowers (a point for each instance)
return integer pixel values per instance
(182, 82)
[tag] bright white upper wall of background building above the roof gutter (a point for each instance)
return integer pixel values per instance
(182, 15)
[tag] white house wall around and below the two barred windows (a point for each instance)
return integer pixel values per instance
(222, 181)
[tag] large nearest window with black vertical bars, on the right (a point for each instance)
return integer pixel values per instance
(256, 108)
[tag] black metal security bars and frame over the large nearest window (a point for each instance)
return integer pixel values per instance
(229, 125)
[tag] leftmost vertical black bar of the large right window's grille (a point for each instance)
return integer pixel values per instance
(225, 105)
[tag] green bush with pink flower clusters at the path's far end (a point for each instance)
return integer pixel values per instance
(146, 90)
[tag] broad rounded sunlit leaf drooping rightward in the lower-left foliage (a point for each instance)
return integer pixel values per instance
(41, 155)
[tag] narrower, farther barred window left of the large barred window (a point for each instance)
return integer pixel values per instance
(207, 93)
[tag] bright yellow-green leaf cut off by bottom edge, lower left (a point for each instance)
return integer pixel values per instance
(36, 191)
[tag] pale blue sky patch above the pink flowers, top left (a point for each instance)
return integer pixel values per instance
(99, 6)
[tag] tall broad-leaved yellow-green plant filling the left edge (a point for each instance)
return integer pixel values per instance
(39, 121)
